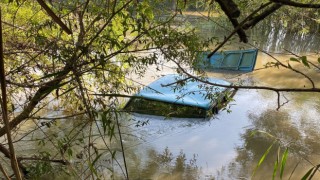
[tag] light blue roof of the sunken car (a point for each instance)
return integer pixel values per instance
(192, 93)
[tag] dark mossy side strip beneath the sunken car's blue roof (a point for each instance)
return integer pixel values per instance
(152, 107)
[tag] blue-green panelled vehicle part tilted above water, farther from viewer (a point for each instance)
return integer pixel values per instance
(237, 60)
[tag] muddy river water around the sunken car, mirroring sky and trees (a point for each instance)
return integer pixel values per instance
(226, 147)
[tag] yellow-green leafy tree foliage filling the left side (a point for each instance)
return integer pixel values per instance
(51, 71)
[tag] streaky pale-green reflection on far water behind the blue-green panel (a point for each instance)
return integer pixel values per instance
(270, 35)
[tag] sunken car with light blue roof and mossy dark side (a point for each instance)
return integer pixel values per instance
(175, 95)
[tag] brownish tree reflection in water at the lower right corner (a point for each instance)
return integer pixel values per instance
(302, 141)
